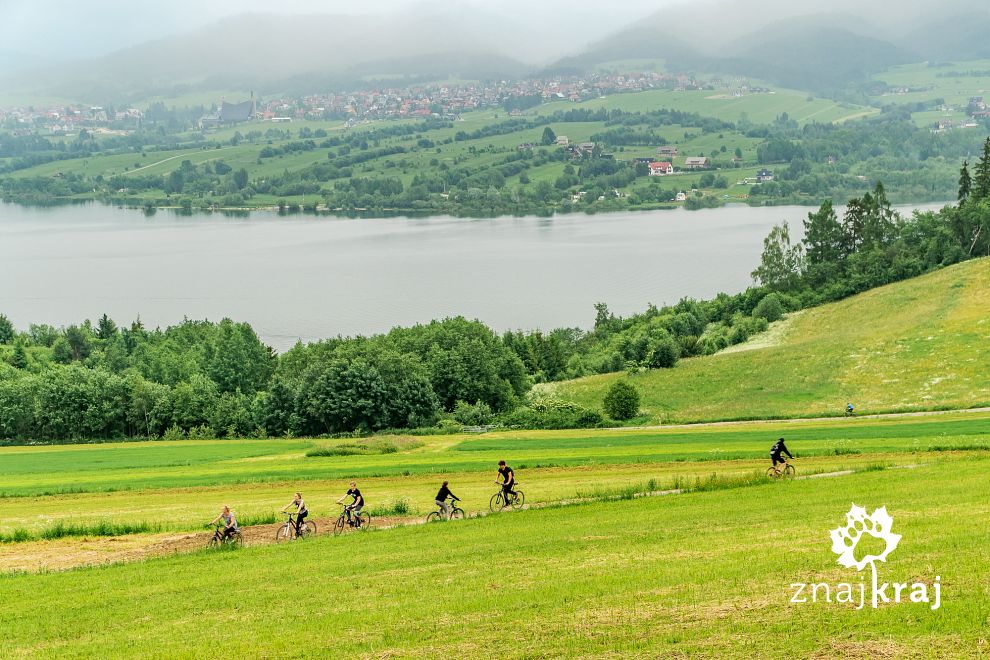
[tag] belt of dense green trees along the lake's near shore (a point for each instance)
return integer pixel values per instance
(95, 382)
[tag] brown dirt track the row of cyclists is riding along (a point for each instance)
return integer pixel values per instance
(68, 553)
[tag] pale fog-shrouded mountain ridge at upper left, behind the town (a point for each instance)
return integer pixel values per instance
(261, 51)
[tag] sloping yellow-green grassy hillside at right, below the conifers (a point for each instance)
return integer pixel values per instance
(915, 345)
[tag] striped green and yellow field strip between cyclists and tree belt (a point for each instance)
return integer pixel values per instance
(180, 485)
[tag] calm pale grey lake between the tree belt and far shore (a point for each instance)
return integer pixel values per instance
(305, 277)
